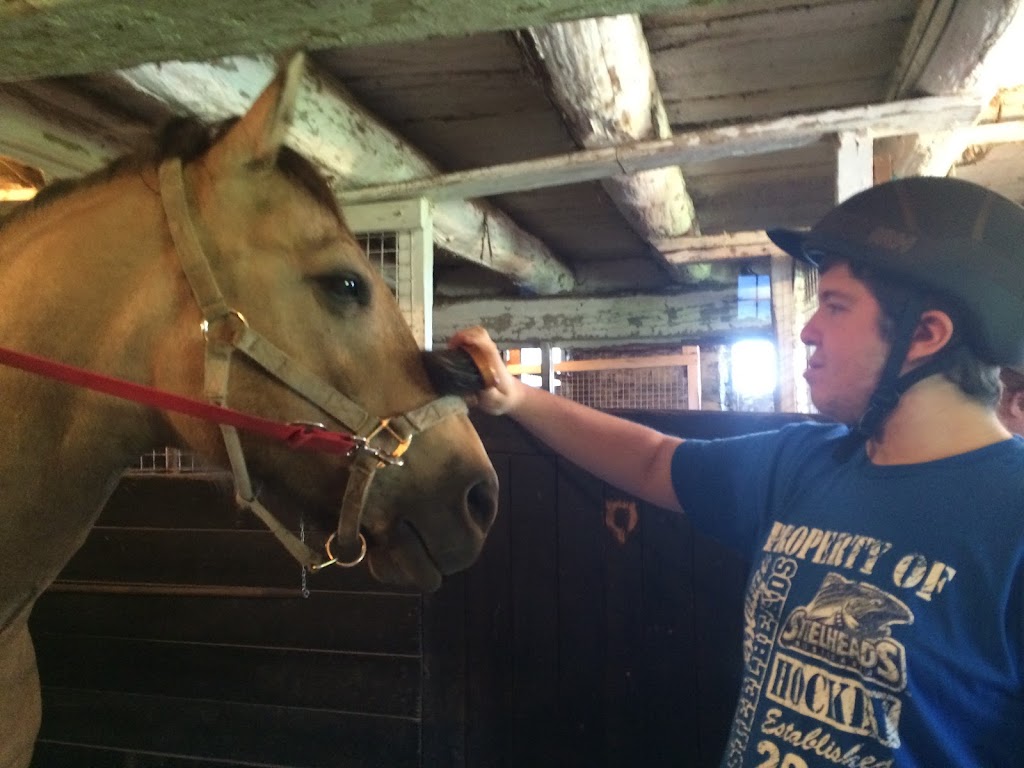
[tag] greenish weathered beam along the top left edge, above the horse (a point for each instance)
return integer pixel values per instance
(73, 37)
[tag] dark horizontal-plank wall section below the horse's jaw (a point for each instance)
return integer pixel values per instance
(239, 669)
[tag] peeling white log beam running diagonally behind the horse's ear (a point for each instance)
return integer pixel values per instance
(354, 149)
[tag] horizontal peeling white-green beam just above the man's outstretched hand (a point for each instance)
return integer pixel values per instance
(602, 321)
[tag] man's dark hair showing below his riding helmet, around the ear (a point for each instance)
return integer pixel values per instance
(978, 381)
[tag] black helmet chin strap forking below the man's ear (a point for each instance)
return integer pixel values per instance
(891, 386)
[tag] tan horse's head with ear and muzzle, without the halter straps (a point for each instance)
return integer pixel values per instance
(288, 268)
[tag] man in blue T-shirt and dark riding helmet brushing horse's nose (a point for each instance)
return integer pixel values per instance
(885, 611)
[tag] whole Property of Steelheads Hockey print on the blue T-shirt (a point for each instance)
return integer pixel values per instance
(824, 677)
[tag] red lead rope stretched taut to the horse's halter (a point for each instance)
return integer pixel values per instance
(296, 436)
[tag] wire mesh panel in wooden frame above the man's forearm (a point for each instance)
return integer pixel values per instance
(659, 389)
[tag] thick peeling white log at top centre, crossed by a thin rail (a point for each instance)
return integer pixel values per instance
(601, 78)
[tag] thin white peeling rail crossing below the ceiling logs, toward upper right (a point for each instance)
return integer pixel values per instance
(894, 119)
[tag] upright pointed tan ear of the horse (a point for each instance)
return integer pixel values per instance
(259, 136)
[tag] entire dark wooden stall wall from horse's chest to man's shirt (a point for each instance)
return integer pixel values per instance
(565, 646)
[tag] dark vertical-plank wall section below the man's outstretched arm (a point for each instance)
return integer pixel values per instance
(586, 651)
